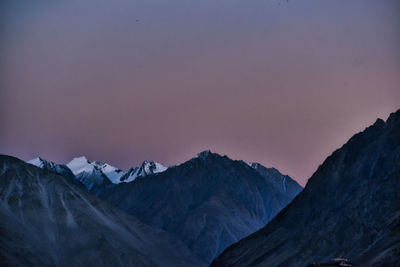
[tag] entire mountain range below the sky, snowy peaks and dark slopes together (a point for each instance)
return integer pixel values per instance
(94, 214)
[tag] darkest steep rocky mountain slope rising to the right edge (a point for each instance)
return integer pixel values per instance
(350, 207)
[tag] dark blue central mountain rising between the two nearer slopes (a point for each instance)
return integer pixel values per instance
(208, 202)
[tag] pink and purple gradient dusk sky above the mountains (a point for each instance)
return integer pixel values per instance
(281, 83)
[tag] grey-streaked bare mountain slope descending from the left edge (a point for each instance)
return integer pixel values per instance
(47, 221)
